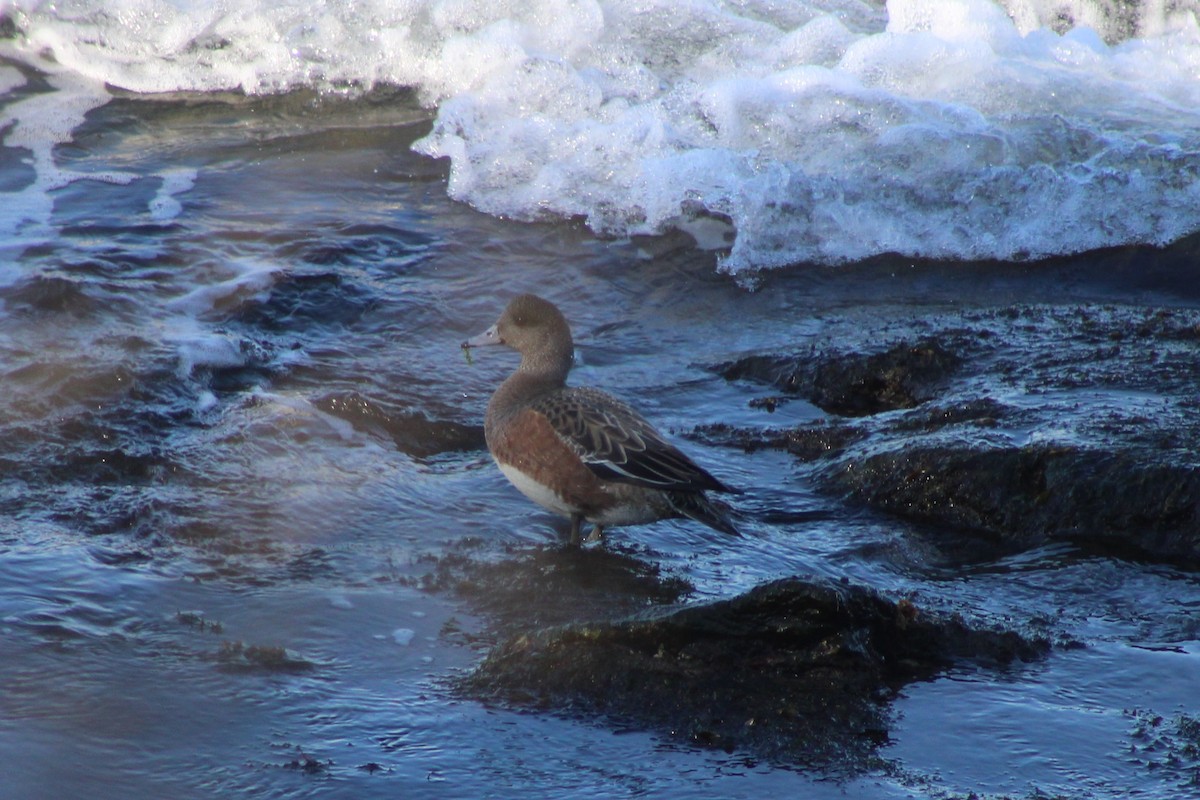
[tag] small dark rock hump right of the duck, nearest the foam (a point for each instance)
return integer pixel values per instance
(855, 384)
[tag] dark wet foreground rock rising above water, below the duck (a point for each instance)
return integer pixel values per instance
(791, 671)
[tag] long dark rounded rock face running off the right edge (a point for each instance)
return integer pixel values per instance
(1112, 501)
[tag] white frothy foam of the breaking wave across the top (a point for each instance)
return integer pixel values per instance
(815, 131)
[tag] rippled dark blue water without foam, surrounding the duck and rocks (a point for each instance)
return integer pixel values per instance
(238, 432)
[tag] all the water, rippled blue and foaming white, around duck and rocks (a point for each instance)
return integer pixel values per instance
(237, 422)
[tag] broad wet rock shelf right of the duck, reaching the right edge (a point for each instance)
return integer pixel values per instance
(1035, 424)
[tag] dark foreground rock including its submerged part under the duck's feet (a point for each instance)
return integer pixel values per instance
(795, 671)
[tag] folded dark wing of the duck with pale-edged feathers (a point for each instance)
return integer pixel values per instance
(621, 446)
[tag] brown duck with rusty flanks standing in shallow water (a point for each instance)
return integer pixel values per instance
(581, 453)
